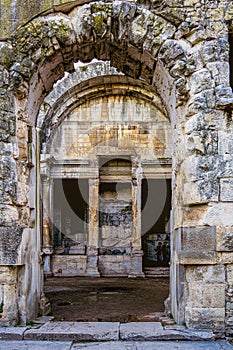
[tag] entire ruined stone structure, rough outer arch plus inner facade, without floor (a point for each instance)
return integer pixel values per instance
(103, 103)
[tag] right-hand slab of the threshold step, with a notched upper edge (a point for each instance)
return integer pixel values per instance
(154, 331)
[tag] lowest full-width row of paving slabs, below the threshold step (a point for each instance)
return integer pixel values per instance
(118, 345)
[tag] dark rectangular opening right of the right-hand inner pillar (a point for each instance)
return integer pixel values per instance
(156, 207)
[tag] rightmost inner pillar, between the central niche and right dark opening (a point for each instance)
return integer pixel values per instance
(136, 253)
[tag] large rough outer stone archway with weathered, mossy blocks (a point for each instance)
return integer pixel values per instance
(37, 55)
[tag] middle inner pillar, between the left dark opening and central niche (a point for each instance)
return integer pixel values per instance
(93, 229)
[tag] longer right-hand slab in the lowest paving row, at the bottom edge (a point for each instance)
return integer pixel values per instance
(157, 345)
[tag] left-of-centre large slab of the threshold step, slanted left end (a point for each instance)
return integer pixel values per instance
(82, 331)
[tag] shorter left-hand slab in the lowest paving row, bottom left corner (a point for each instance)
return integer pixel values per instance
(34, 345)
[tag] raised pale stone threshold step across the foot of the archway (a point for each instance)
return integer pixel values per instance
(104, 331)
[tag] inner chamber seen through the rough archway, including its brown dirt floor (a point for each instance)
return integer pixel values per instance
(105, 173)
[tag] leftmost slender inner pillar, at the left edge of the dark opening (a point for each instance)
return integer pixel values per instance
(47, 245)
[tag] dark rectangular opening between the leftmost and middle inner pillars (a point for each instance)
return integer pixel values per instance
(70, 216)
